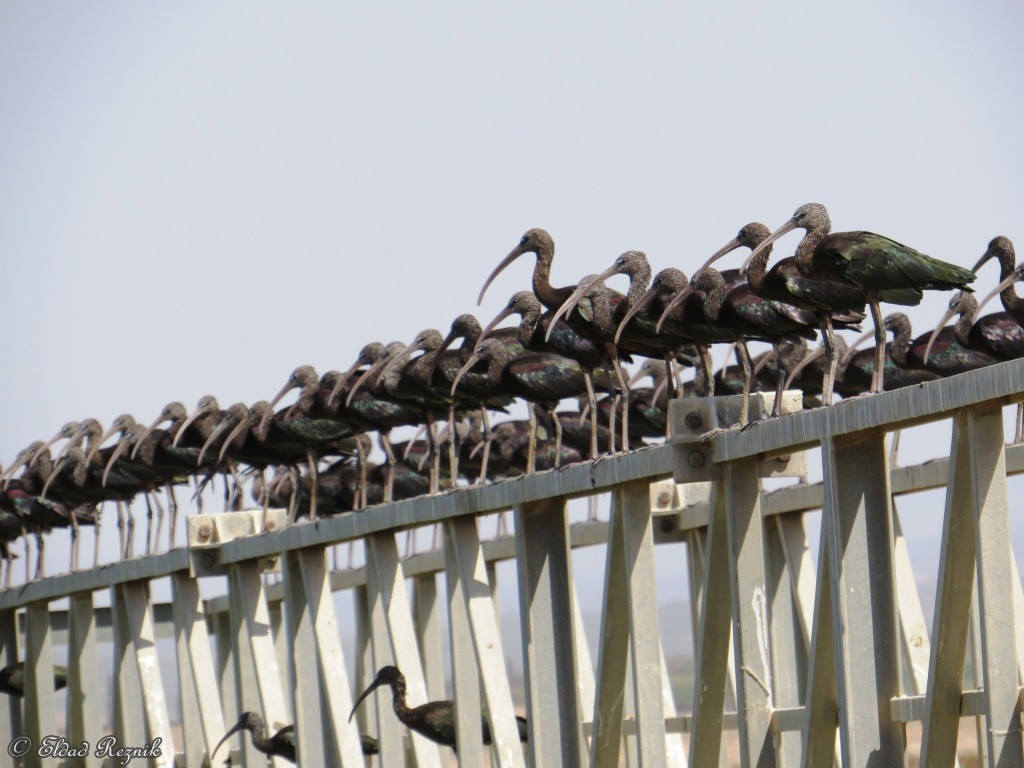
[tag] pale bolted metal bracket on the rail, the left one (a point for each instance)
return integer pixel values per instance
(207, 533)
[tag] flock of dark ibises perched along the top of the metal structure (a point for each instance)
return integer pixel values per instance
(570, 345)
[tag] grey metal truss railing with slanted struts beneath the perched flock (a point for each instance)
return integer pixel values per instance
(813, 663)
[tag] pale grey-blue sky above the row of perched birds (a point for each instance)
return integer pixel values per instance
(197, 198)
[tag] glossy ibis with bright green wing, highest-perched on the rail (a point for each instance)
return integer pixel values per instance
(880, 268)
